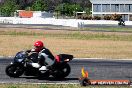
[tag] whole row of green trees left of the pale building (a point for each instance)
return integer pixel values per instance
(63, 7)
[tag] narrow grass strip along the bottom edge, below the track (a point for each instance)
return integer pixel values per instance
(58, 86)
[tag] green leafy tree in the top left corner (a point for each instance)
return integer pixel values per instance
(8, 7)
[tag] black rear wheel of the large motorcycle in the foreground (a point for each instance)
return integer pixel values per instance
(62, 72)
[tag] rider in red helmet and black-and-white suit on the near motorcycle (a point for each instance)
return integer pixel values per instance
(45, 57)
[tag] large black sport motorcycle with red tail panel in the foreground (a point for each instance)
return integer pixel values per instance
(23, 65)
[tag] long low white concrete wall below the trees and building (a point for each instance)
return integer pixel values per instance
(62, 22)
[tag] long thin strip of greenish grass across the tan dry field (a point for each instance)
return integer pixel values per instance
(73, 35)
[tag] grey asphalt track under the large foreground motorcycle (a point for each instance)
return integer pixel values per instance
(98, 69)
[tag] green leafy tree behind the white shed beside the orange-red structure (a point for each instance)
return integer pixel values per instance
(39, 5)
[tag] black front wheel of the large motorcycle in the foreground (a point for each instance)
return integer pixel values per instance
(14, 70)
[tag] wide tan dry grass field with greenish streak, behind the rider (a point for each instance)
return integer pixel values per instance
(80, 44)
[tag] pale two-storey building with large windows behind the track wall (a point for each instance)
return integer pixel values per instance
(108, 7)
